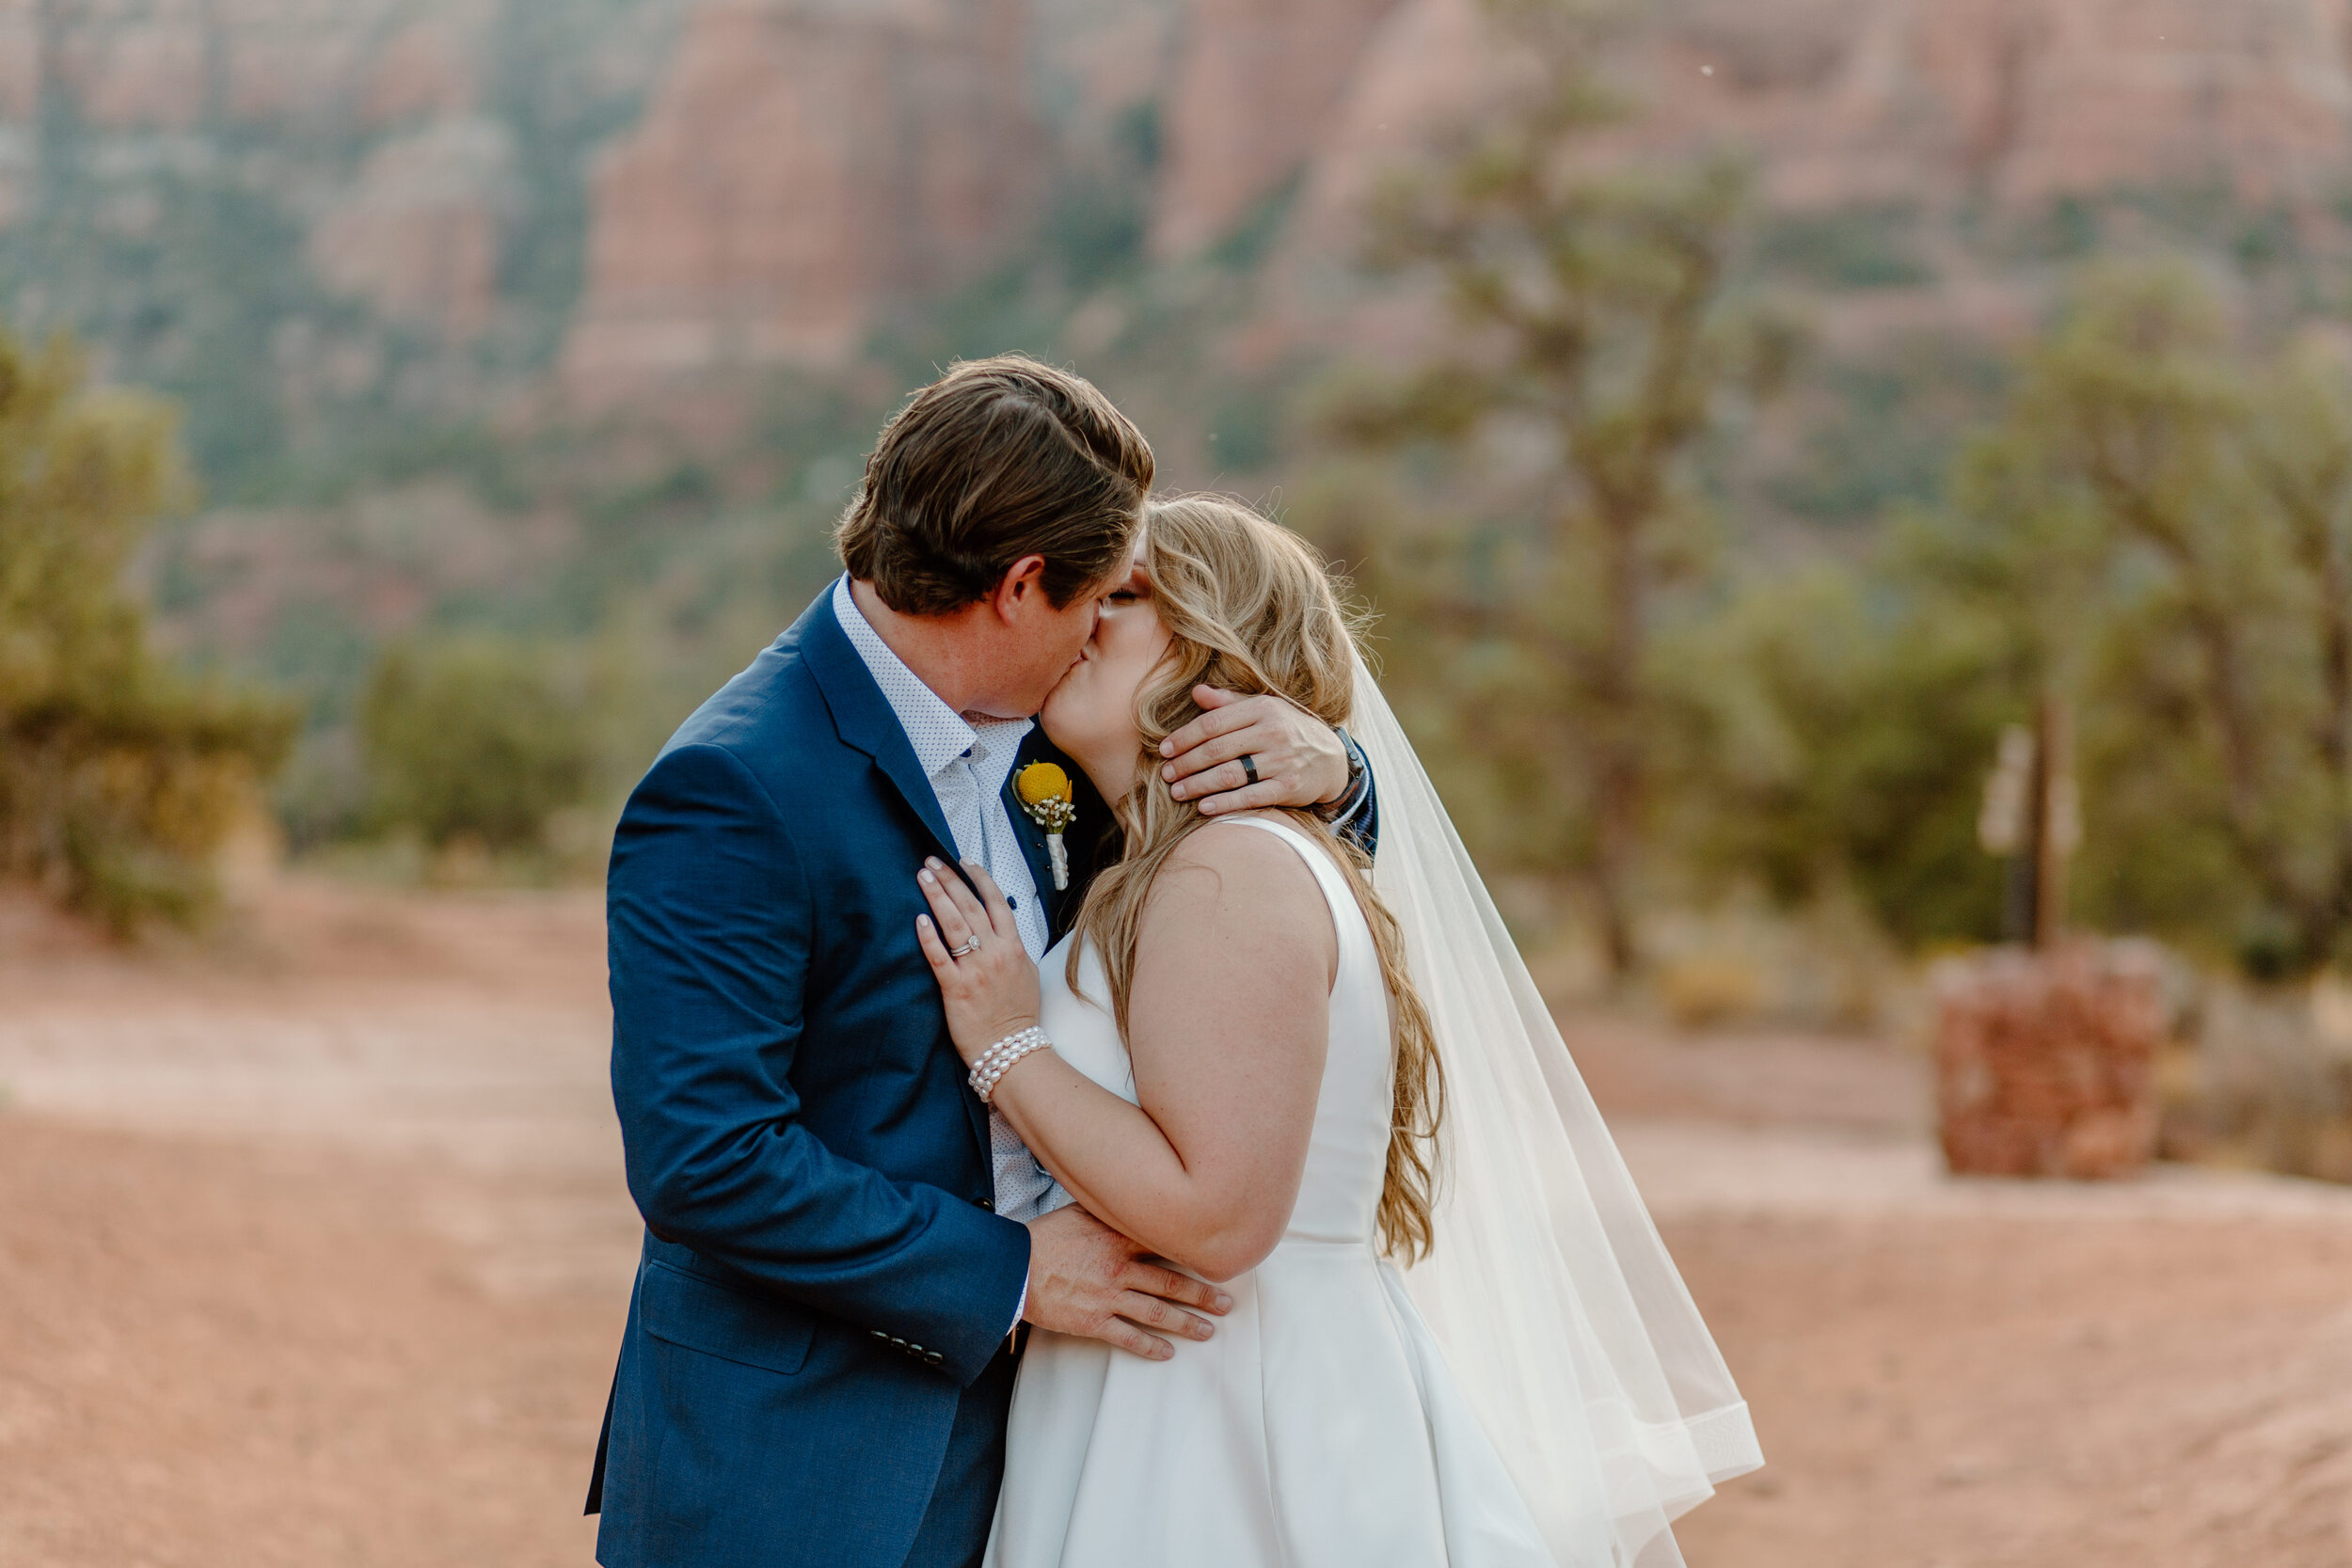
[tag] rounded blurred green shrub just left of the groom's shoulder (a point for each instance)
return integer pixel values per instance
(474, 739)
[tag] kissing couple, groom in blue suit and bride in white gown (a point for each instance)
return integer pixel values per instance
(1083, 1104)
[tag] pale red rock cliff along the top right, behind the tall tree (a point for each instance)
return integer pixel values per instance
(1843, 100)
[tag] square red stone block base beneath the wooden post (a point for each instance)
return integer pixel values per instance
(2047, 1061)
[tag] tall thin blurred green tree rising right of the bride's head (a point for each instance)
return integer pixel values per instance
(1598, 349)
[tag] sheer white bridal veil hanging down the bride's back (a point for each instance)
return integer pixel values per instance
(1549, 1289)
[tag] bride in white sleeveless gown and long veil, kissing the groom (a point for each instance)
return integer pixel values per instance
(1255, 1066)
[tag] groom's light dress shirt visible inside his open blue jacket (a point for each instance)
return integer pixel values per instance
(968, 768)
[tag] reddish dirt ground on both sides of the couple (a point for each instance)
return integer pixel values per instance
(319, 1257)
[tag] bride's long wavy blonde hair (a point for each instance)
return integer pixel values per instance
(1250, 610)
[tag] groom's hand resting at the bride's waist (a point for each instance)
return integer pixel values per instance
(1095, 1282)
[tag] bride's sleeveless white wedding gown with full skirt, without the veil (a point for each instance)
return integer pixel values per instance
(1321, 1426)
